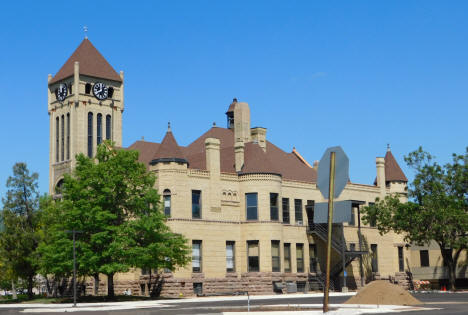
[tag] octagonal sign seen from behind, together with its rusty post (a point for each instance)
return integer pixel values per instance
(332, 178)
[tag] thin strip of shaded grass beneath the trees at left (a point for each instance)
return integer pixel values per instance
(23, 299)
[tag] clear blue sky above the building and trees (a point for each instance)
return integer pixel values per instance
(359, 74)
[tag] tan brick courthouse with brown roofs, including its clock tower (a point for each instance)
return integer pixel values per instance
(245, 205)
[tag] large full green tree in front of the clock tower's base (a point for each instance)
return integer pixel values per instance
(112, 202)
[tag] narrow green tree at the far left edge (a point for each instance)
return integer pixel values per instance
(20, 216)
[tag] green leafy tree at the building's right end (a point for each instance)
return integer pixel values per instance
(438, 210)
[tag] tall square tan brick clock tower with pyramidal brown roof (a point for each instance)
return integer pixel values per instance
(85, 106)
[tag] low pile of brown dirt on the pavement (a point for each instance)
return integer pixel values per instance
(382, 292)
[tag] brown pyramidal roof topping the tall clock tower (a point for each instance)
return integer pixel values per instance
(91, 61)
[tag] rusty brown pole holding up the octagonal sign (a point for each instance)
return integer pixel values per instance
(331, 192)
